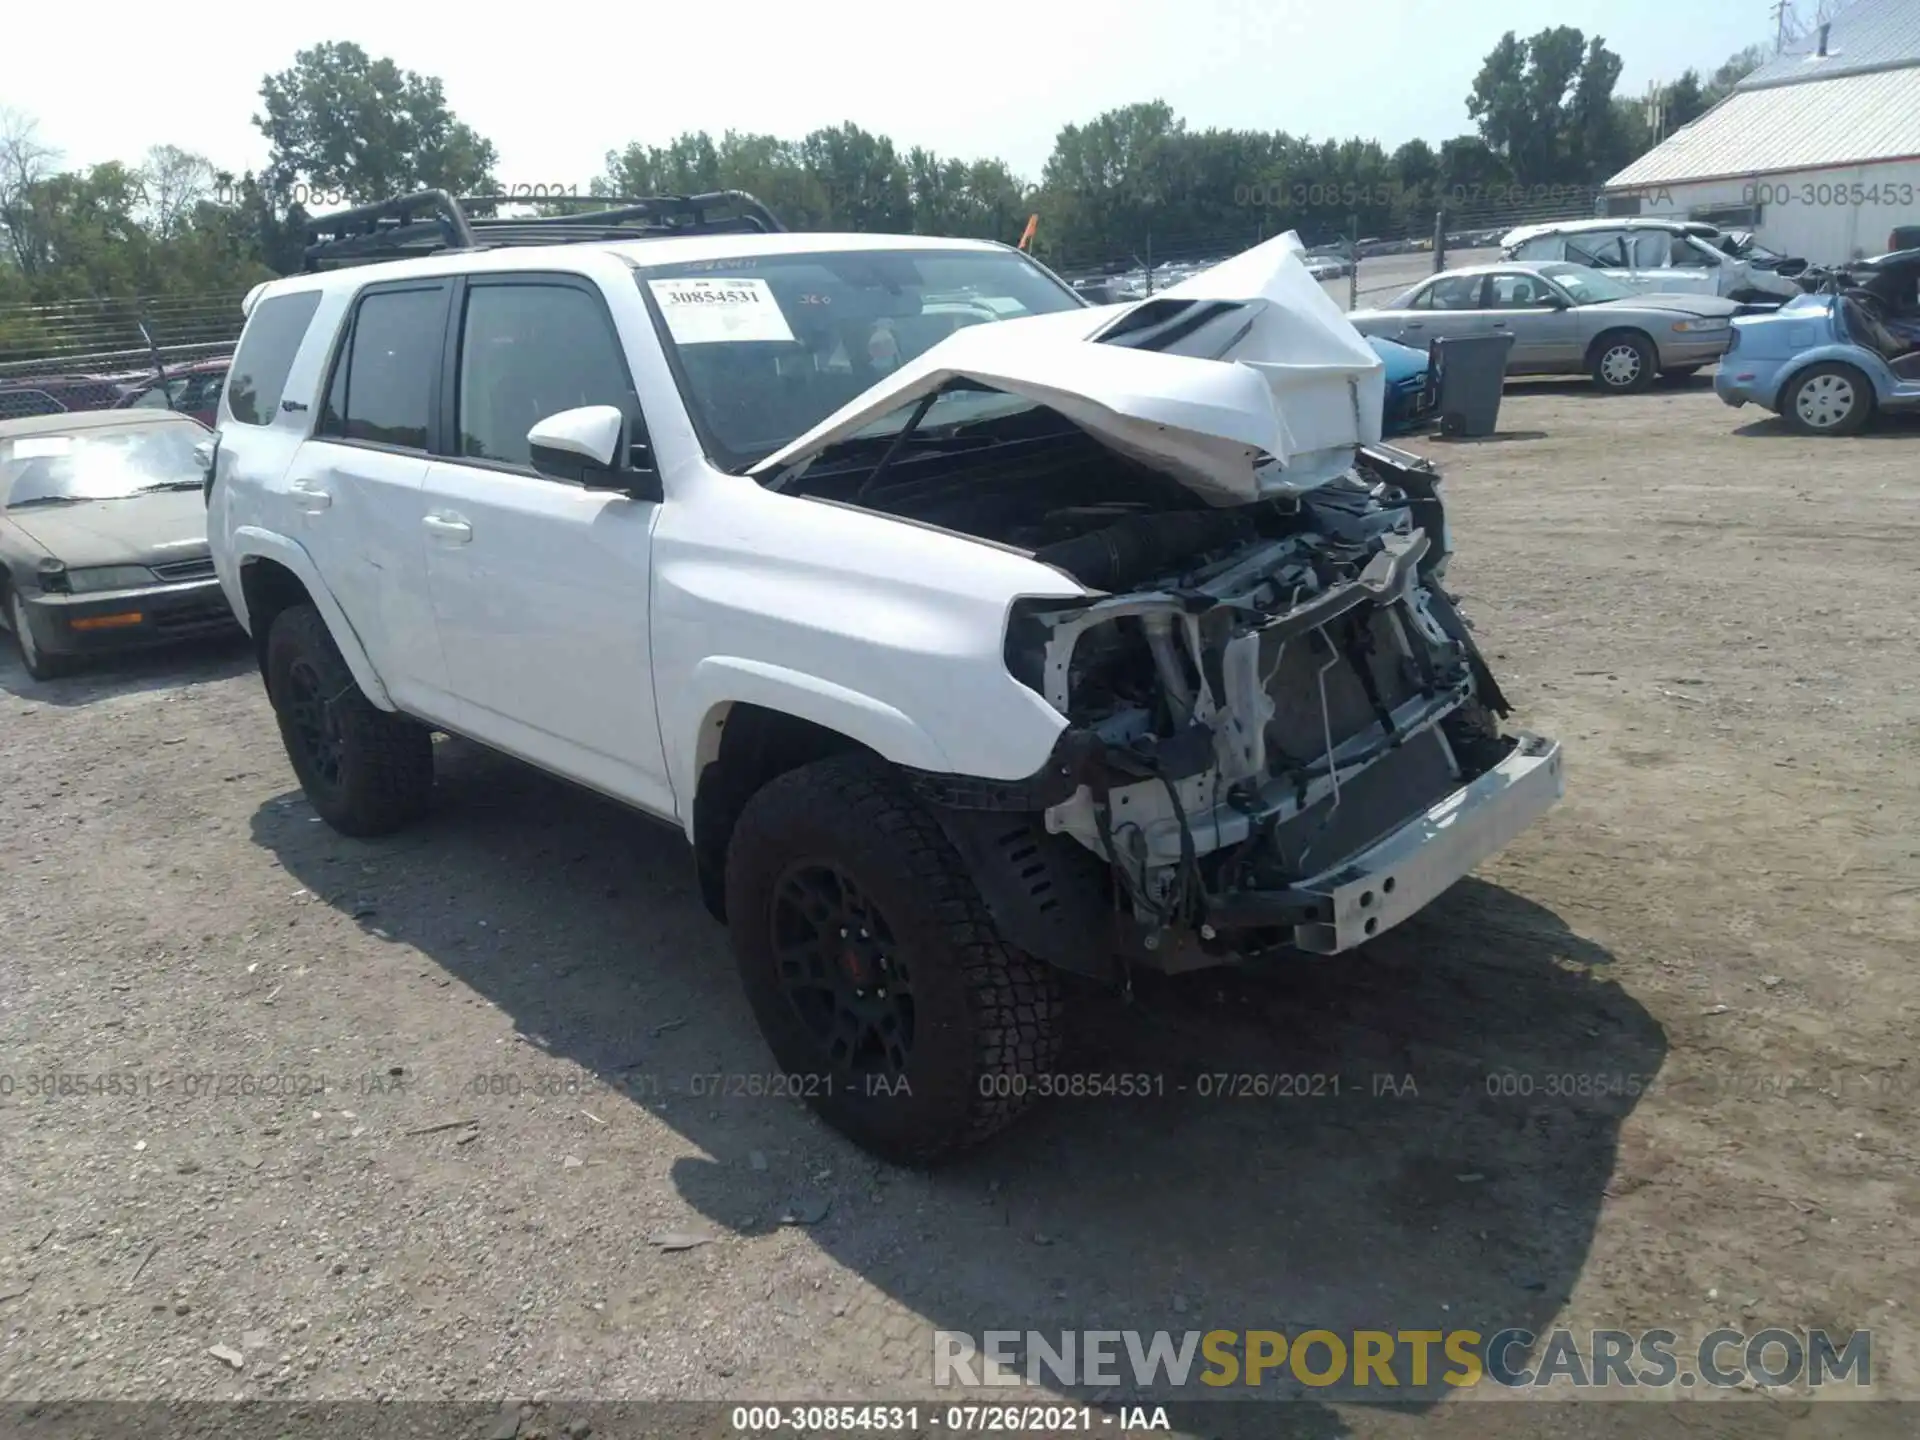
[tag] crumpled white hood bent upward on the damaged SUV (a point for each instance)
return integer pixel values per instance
(1280, 412)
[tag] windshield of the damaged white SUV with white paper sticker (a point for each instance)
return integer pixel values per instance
(767, 347)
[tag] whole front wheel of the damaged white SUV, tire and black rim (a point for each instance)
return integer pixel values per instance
(875, 971)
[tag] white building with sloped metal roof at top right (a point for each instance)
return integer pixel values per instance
(1817, 151)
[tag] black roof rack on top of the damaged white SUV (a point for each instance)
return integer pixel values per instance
(429, 222)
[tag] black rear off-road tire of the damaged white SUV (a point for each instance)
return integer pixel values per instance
(385, 761)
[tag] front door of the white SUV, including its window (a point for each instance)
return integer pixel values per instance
(540, 587)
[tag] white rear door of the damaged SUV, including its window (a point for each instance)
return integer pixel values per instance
(352, 492)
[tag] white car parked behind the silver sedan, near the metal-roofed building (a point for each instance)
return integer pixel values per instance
(1650, 256)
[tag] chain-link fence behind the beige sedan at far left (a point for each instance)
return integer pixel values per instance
(164, 352)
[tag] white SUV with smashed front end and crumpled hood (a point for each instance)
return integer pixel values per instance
(971, 635)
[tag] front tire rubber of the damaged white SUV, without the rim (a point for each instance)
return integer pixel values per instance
(986, 1015)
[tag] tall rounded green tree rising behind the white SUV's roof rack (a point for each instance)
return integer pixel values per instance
(343, 122)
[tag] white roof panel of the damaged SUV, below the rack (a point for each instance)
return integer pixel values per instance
(640, 254)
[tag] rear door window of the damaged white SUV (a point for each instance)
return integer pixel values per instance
(385, 377)
